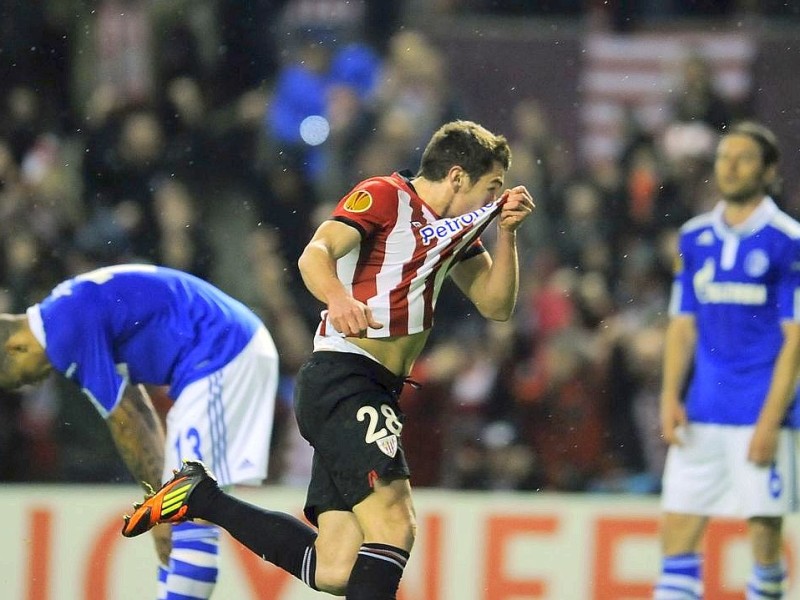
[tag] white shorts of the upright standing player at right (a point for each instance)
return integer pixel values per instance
(710, 474)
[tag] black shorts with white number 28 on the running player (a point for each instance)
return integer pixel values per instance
(347, 408)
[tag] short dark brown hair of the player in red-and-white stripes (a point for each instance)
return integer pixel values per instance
(467, 145)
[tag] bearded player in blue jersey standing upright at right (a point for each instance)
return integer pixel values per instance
(733, 345)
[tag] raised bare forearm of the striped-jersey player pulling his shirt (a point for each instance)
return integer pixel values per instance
(499, 288)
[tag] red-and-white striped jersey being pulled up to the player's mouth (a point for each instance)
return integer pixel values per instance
(405, 253)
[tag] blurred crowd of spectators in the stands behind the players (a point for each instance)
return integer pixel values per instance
(213, 136)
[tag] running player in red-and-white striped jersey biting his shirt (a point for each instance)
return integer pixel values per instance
(377, 264)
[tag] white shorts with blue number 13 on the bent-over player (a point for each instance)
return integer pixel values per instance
(225, 419)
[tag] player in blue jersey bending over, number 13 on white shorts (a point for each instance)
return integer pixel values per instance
(114, 328)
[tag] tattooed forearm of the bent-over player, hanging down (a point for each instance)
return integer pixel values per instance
(139, 436)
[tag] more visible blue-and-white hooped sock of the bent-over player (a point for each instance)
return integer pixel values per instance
(193, 562)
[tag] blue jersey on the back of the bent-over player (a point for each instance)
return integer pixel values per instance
(139, 323)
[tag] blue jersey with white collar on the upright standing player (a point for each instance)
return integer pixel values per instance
(740, 283)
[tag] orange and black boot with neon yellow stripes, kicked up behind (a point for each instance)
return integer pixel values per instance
(168, 504)
